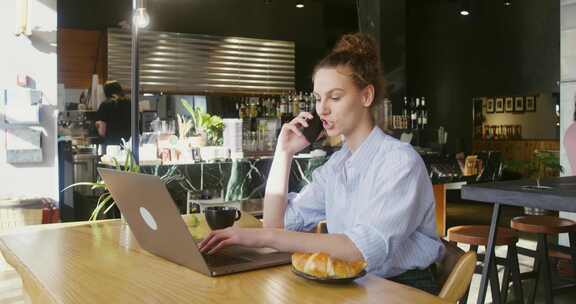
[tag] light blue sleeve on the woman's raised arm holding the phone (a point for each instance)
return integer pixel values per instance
(305, 209)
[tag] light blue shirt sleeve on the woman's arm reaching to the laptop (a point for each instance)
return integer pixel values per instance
(402, 198)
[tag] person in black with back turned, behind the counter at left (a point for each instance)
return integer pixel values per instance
(113, 116)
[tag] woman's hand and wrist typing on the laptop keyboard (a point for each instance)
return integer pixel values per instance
(248, 237)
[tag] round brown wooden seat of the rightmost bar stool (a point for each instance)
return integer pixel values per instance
(543, 224)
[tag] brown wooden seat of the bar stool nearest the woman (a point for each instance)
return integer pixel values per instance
(478, 235)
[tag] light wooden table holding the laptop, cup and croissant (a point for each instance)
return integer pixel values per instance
(102, 263)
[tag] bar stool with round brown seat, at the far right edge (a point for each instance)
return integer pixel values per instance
(543, 225)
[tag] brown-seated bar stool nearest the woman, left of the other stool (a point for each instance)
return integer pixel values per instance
(477, 235)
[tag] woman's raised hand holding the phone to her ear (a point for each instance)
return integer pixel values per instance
(291, 140)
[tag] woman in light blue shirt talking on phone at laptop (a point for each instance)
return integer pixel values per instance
(374, 193)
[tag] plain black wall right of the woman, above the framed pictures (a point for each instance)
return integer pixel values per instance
(494, 51)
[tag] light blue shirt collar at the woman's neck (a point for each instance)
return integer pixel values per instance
(360, 160)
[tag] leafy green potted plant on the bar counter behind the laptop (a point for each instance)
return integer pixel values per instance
(205, 125)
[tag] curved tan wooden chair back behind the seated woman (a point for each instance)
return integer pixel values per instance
(454, 272)
